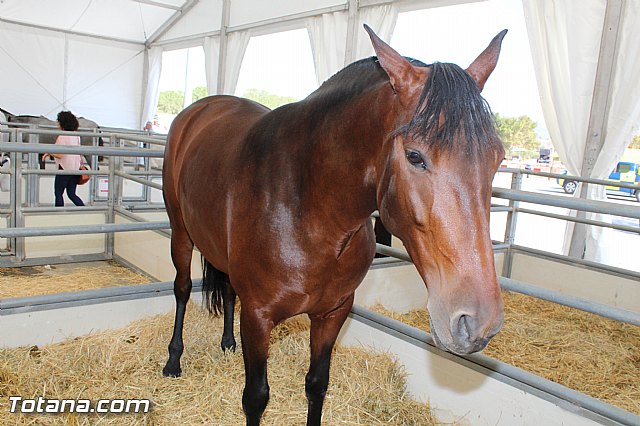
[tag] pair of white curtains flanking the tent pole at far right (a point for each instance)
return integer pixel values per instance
(565, 42)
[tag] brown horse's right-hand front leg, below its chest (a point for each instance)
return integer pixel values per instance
(324, 332)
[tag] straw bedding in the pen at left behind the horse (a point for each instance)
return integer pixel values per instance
(38, 280)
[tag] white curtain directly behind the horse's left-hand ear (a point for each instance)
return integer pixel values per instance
(382, 19)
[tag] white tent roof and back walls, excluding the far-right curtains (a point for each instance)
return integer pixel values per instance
(96, 57)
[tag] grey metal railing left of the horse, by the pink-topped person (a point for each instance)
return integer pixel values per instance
(25, 176)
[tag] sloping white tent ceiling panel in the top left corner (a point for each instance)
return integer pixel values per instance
(126, 20)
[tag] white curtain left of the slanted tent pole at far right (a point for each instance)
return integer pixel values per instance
(565, 41)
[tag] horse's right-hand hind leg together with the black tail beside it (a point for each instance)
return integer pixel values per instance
(219, 296)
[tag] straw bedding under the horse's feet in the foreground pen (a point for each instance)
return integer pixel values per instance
(365, 388)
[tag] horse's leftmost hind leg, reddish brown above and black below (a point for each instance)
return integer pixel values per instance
(181, 250)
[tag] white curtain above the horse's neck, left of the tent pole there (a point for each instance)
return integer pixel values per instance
(328, 36)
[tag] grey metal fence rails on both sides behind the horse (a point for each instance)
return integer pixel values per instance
(25, 176)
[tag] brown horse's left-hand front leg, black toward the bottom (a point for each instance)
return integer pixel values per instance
(254, 332)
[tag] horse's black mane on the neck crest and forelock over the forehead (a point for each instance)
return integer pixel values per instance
(449, 91)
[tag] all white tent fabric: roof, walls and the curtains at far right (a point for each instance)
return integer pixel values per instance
(102, 58)
